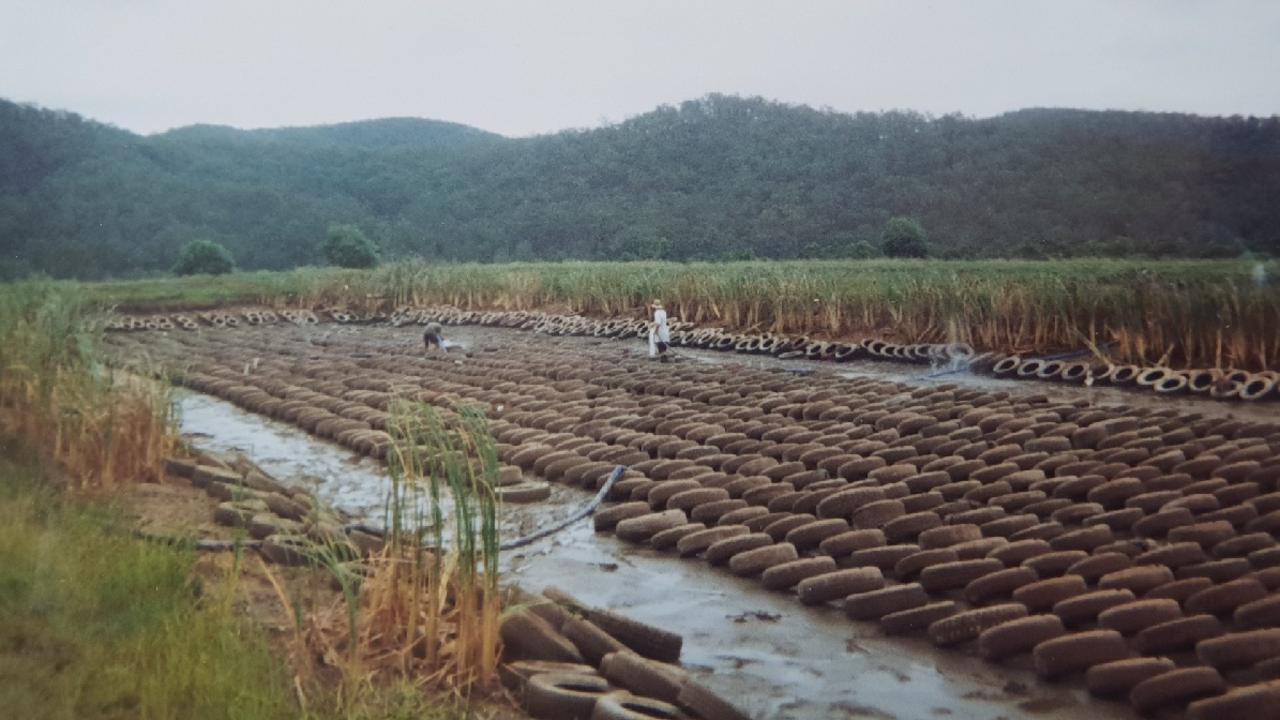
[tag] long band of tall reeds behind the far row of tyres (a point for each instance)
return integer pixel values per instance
(1197, 313)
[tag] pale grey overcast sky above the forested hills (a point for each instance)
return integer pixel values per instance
(533, 67)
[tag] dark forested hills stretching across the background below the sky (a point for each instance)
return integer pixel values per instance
(717, 177)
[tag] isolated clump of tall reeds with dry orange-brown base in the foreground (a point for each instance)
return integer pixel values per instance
(427, 609)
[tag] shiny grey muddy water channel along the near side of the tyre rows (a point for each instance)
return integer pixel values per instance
(774, 657)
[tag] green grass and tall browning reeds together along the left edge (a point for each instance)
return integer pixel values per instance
(93, 623)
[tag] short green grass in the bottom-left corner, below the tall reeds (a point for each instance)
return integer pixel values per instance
(95, 625)
